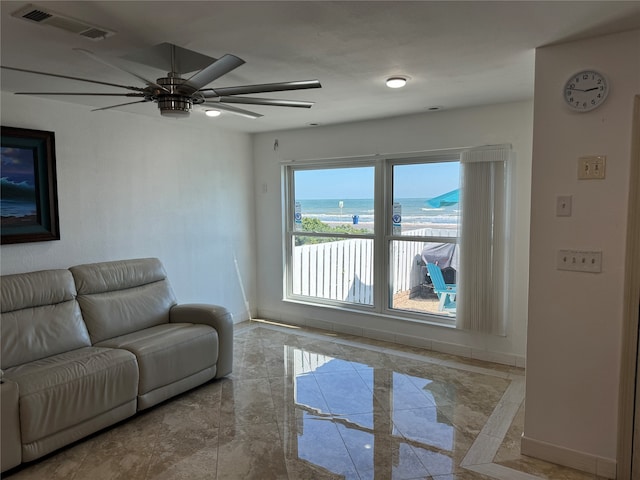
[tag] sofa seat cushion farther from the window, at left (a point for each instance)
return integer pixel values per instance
(64, 390)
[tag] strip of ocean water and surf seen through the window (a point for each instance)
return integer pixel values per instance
(413, 210)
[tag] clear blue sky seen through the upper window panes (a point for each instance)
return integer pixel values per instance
(424, 180)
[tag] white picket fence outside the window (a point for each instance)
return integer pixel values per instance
(343, 270)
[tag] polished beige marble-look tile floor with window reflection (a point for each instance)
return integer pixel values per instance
(304, 404)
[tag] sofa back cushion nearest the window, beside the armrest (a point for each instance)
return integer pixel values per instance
(117, 298)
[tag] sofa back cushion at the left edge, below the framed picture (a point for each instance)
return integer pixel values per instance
(40, 316)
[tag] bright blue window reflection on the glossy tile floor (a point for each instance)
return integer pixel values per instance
(345, 417)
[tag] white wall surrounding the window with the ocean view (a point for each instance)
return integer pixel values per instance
(506, 123)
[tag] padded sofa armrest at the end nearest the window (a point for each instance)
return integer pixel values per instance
(215, 316)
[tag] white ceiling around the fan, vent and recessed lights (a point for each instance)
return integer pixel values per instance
(456, 54)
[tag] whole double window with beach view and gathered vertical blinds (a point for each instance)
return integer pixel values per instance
(390, 236)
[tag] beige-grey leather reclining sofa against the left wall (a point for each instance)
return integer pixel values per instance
(86, 347)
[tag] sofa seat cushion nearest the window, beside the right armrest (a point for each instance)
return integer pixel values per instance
(168, 353)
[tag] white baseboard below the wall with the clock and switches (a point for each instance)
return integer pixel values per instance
(603, 467)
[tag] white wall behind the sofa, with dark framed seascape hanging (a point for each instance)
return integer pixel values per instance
(136, 186)
